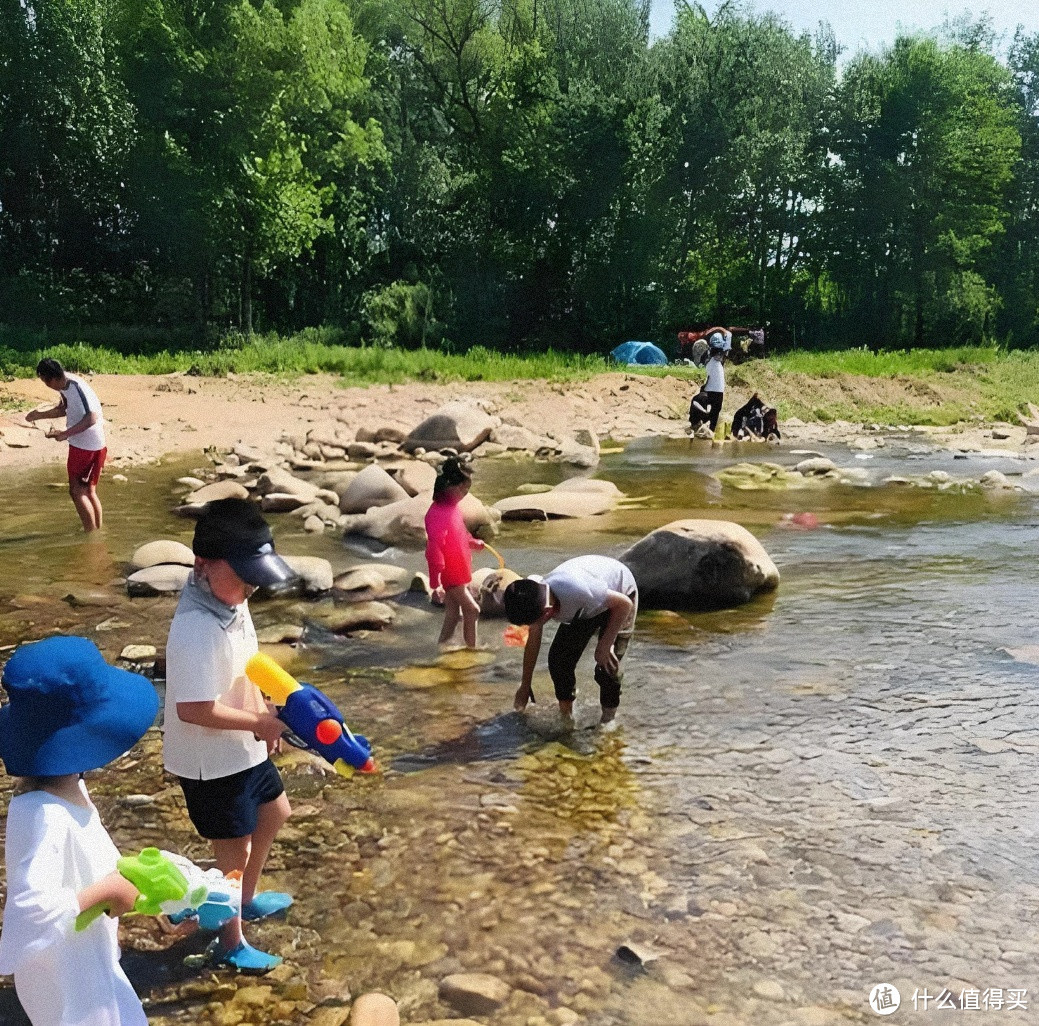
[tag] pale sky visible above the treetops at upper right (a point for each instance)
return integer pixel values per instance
(869, 23)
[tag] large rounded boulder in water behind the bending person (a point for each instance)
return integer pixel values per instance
(701, 565)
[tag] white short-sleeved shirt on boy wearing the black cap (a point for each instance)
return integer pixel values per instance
(207, 650)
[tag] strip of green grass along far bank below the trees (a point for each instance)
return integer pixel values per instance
(916, 387)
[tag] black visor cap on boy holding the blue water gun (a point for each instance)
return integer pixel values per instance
(235, 531)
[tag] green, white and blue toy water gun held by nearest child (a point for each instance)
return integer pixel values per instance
(170, 884)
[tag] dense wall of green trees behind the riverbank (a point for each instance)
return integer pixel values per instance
(519, 175)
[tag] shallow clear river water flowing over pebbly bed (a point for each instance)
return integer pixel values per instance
(827, 791)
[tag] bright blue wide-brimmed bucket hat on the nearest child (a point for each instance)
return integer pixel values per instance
(69, 712)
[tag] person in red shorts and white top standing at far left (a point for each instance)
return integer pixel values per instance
(85, 433)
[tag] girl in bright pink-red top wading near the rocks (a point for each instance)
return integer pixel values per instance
(448, 551)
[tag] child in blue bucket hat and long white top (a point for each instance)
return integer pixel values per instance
(68, 713)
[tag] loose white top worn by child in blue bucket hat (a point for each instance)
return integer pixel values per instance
(56, 849)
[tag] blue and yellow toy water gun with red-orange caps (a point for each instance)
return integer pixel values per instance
(313, 717)
